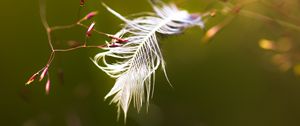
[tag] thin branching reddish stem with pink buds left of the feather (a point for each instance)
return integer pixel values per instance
(49, 30)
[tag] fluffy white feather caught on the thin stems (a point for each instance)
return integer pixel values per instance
(137, 60)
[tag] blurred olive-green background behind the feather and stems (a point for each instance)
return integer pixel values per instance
(226, 81)
